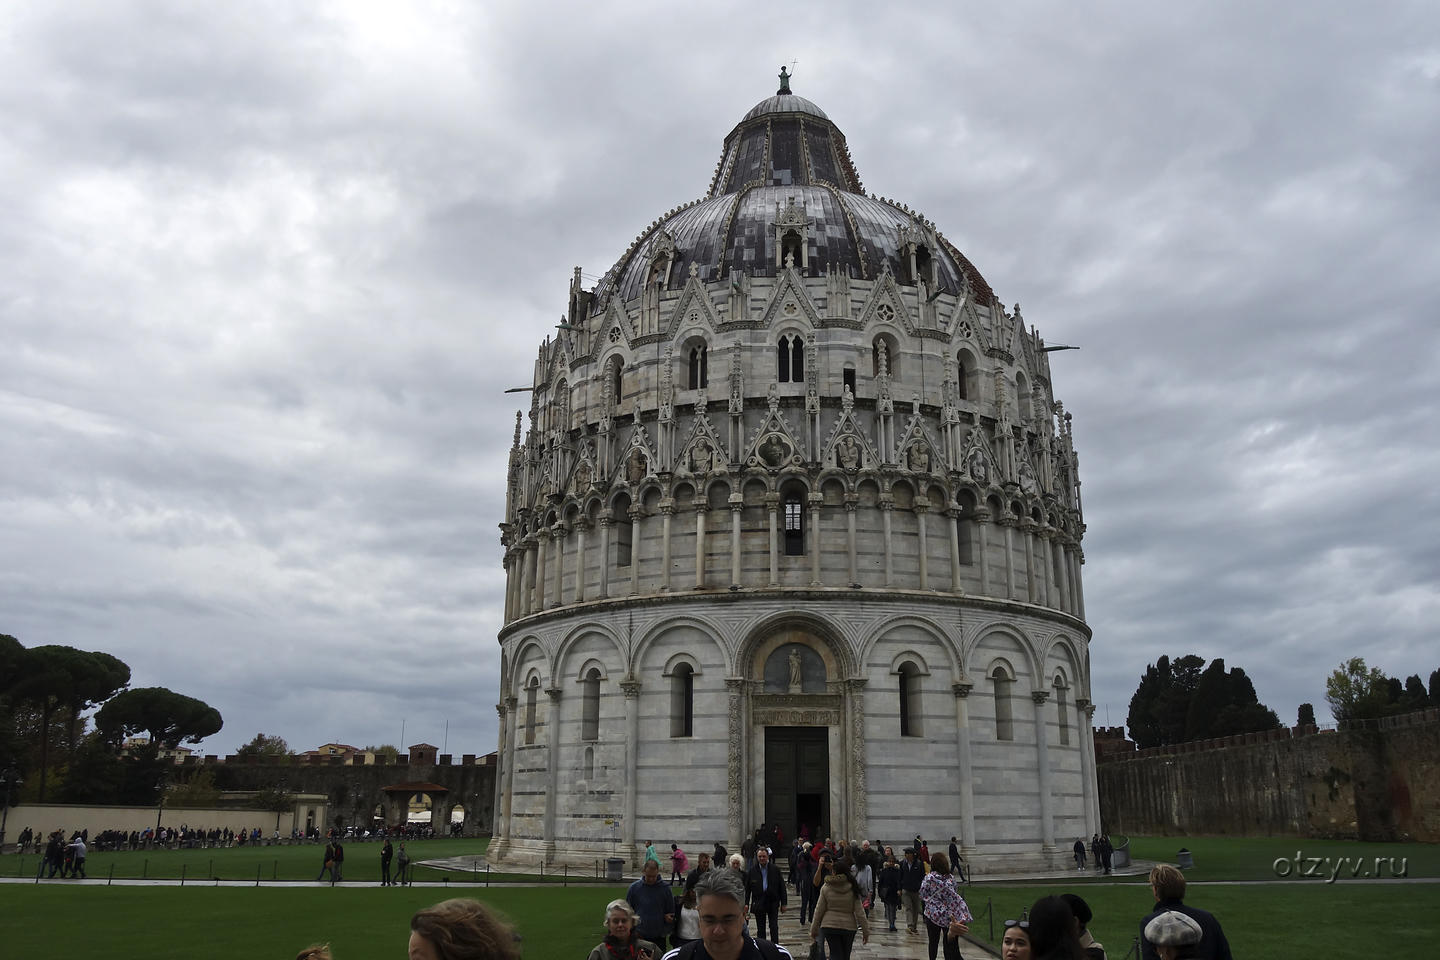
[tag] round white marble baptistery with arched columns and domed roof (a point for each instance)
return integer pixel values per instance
(793, 536)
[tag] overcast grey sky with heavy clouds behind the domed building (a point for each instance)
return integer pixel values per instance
(267, 267)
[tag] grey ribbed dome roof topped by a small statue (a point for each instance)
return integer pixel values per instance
(787, 152)
